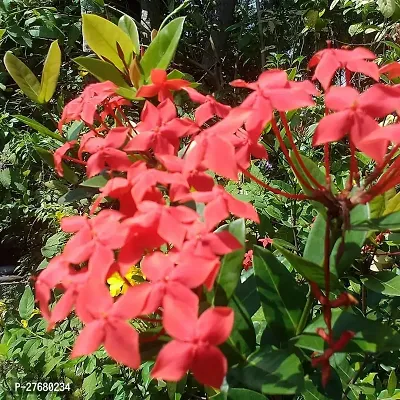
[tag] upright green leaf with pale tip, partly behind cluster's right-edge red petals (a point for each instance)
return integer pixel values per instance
(231, 265)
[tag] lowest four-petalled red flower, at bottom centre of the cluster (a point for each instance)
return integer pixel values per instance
(194, 345)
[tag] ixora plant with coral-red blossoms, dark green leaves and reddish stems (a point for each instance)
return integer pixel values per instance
(160, 206)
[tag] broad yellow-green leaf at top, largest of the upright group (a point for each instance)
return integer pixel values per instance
(102, 37)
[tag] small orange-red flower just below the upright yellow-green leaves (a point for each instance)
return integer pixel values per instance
(161, 85)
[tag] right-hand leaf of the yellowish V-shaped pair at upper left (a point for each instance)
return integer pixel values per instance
(51, 72)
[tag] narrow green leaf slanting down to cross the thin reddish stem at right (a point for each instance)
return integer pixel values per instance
(308, 269)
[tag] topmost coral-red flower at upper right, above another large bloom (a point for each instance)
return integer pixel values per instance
(328, 61)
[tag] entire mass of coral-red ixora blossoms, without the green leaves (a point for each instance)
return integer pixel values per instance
(155, 182)
